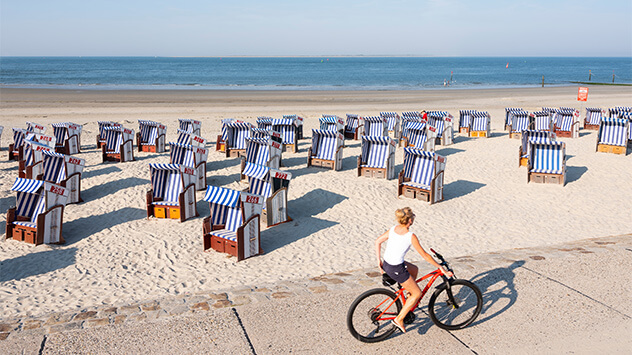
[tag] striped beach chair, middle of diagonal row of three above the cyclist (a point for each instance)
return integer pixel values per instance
(378, 157)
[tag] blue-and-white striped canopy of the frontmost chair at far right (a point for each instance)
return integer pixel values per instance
(547, 157)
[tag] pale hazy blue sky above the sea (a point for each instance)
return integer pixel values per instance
(315, 28)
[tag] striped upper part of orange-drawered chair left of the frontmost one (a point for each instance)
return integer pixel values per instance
(168, 181)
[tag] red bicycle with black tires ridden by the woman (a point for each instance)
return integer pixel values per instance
(455, 304)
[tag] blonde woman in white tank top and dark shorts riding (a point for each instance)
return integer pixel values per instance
(400, 238)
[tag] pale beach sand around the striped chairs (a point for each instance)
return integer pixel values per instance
(115, 255)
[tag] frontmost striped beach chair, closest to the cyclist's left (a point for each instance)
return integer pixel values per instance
(233, 226)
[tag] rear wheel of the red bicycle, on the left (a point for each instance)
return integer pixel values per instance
(369, 317)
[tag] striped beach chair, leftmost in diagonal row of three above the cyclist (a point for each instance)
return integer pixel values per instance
(326, 149)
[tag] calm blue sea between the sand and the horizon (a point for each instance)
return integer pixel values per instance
(335, 73)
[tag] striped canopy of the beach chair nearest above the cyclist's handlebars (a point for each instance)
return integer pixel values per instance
(419, 167)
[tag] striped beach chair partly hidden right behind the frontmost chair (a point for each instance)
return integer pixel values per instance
(272, 185)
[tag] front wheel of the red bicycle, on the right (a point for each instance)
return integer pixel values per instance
(443, 312)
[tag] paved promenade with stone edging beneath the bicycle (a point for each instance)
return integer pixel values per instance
(569, 298)
